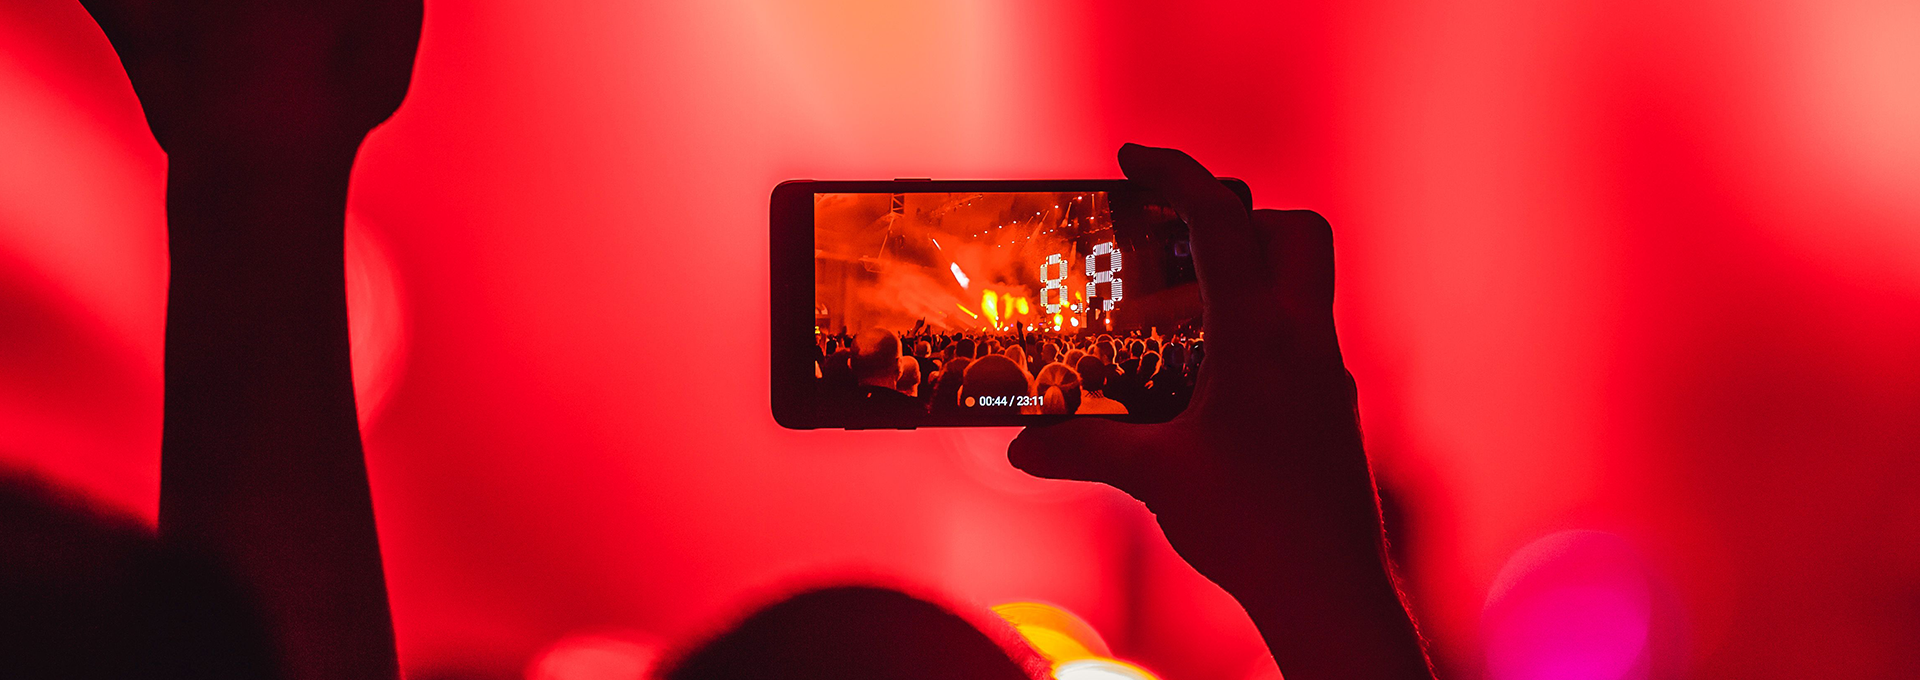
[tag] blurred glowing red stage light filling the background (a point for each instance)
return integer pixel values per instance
(1641, 268)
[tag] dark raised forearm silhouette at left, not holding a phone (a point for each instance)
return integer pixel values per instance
(262, 109)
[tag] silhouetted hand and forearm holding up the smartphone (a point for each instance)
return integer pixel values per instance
(1262, 485)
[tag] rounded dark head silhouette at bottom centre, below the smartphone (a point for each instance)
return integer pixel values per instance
(857, 633)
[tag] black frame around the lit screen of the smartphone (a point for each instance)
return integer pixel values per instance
(792, 264)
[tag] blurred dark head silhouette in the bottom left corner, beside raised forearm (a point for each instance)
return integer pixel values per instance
(85, 595)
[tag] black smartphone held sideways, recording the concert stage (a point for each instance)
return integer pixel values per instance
(903, 304)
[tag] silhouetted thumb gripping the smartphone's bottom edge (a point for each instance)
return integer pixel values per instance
(1088, 450)
